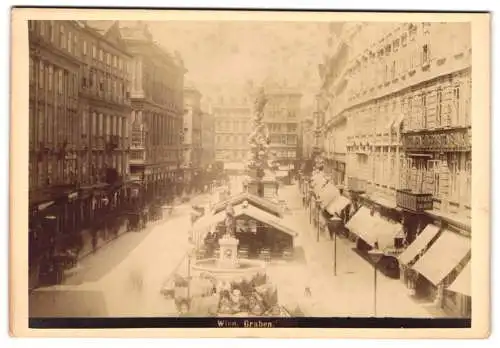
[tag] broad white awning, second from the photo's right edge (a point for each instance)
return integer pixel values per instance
(443, 256)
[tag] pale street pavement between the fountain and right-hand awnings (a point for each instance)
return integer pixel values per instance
(351, 291)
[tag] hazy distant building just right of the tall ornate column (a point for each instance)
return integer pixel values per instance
(282, 118)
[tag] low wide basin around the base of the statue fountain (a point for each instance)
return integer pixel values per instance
(243, 269)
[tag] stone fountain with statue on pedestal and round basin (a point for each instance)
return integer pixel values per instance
(228, 266)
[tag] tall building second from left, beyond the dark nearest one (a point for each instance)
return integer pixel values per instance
(156, 93)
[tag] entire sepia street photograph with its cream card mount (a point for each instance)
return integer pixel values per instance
(251, 171)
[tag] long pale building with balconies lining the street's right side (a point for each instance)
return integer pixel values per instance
(398, 96)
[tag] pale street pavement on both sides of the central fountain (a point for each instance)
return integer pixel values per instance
(130, 272)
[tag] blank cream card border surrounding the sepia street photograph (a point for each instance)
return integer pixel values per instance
(480, 24)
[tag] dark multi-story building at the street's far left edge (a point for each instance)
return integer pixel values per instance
(77, 132)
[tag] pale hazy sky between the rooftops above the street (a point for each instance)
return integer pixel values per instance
(222, 56)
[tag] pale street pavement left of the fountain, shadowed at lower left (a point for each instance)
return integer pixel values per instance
(128, 273)
